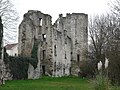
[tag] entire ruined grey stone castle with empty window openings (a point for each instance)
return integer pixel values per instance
(61, 46)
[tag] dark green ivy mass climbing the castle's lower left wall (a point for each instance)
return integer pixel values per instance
(19, 64)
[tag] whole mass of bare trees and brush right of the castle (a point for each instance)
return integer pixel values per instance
(105, 42)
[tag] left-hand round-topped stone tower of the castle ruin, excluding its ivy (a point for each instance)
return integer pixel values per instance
(36, 26)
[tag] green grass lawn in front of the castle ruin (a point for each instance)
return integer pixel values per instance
(49, 83)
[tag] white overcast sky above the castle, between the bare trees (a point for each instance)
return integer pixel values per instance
(56, 7)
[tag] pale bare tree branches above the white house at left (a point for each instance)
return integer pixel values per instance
(10, 18)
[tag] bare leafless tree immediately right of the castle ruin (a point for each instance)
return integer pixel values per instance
(98, 34)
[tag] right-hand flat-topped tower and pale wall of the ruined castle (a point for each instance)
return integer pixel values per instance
(71, 38)
